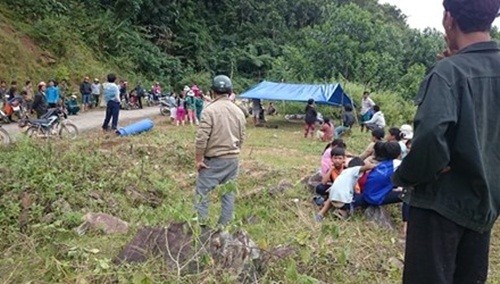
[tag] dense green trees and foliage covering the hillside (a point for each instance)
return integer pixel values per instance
(179, 41)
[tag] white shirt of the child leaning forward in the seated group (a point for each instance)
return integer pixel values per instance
(342, 189)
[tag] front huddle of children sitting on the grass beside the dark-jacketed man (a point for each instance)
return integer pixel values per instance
(350, 182)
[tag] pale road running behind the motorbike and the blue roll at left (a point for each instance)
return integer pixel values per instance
(93, 119)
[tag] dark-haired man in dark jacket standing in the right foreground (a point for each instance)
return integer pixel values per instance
(452, 169)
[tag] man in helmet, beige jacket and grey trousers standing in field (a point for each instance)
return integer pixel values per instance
(218, 144)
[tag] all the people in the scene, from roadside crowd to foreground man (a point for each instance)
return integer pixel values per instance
(446, 174)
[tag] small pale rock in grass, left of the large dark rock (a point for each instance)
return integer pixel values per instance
(102, 222)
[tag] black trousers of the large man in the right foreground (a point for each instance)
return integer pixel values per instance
(441, 251)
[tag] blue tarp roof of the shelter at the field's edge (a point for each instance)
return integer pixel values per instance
(331, 94)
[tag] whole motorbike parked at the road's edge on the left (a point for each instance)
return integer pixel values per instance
(53, 123)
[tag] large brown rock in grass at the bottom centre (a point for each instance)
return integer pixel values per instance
(191, 252)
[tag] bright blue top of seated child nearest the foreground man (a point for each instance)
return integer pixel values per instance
(378, 183)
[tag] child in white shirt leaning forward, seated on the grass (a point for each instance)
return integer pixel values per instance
(341, 193)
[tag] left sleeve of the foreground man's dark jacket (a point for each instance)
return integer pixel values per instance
(432, 144)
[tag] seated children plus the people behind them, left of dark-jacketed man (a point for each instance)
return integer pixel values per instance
(351, 181)
